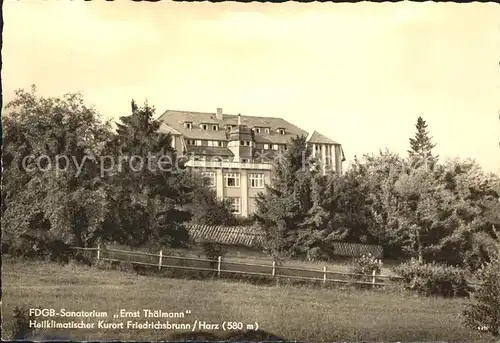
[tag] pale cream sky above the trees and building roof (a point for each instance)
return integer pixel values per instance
(360, 73)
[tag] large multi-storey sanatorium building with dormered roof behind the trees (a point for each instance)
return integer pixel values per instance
(235, 153)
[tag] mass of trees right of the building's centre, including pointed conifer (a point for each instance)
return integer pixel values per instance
(414, 205)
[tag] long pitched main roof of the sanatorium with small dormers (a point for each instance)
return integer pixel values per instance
(176, 119)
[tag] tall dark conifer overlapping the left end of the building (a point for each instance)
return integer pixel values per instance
(147, 188)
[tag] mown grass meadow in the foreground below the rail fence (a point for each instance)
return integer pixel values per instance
(292, 312)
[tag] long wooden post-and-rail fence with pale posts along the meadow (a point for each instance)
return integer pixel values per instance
(219, 266)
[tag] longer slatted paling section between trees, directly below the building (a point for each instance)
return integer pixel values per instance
(231, 235)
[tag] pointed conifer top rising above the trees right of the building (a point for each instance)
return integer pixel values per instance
(421, 146)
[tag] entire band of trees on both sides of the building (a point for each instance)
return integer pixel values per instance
(70, 176)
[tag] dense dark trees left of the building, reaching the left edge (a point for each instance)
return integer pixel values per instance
(70, 178)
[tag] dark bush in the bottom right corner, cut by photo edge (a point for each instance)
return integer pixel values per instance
(483, 311)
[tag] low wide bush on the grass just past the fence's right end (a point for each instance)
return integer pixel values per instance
(433, 278)
